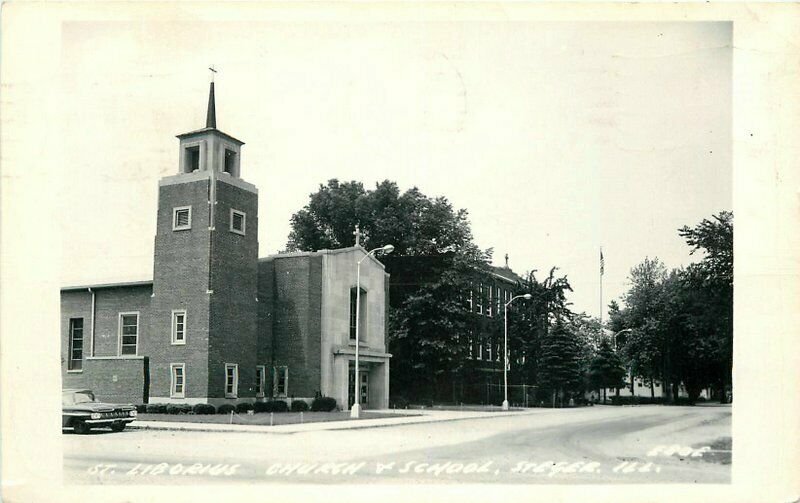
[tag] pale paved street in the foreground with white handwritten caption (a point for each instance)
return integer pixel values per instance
(587, 445)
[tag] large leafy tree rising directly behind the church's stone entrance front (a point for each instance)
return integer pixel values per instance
(429, 316)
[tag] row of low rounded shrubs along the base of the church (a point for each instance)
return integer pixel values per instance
(320, 404)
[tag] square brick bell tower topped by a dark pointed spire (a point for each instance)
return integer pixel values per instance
(205, 273)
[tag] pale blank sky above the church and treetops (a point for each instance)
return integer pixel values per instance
(558, 138)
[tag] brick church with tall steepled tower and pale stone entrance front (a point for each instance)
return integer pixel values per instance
(216, 323)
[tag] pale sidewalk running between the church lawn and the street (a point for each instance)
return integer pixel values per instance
(415, 416)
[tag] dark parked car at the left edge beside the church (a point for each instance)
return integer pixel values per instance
(81, 411)
